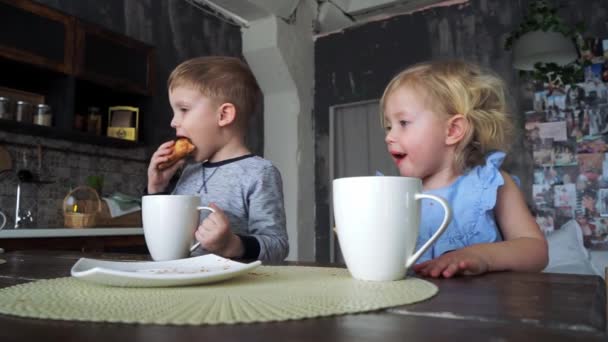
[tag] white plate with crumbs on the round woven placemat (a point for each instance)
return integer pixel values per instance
(198, 270)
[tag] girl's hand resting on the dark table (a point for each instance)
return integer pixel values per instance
(462, 261)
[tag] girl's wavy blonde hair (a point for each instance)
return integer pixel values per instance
(457, 87)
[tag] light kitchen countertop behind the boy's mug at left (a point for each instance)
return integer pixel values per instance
(21, 233)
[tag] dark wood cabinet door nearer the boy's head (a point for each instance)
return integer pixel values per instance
(113, 60)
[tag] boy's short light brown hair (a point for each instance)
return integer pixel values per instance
(221, 78)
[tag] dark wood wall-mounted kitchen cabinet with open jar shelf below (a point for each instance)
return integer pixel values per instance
(72, 65)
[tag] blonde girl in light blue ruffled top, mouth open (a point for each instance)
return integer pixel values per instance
(446, 123)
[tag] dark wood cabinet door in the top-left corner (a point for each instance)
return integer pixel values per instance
(36, 34)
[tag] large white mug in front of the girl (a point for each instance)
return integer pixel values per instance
(377, 221)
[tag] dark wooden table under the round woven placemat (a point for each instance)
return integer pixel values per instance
(497, 306)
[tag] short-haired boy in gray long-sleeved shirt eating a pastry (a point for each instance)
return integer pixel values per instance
(211, 99)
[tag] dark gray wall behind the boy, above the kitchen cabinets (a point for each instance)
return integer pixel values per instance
(178, 31)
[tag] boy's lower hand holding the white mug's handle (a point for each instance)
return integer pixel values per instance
(215, 235)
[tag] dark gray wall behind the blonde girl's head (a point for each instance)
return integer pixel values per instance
(356, 65)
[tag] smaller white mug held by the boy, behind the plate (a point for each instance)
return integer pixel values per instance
(169, 224)
